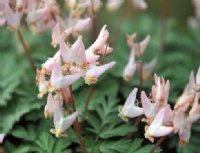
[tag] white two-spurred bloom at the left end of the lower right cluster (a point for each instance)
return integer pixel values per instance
(130, 108)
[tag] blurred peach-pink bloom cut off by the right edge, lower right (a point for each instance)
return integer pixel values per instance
(184, 117)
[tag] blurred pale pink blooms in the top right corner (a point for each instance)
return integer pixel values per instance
(194, 21)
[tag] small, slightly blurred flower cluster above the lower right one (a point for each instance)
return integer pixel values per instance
(137, 50)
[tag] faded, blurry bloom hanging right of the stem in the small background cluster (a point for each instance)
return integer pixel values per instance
(148, 69)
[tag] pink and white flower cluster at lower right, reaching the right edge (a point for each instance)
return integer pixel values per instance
(161, 120)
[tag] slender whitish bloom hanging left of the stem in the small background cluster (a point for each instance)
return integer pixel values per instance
(130, 67)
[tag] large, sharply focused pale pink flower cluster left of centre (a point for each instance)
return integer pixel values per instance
(69, 64)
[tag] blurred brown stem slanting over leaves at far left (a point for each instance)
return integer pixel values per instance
(26, 50)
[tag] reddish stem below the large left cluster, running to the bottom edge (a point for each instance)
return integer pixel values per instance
(76, 124)
